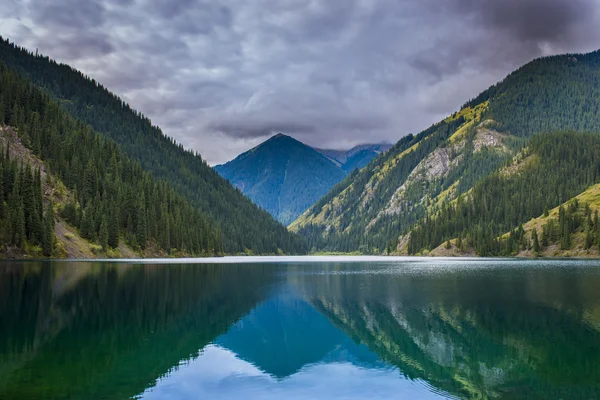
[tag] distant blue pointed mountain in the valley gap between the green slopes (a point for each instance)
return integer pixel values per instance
(285, 177)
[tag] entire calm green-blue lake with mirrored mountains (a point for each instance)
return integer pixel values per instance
(300, 328)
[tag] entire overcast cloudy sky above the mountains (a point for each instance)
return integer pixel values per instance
(221, 76)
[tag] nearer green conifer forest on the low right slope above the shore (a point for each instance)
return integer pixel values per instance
(553, 169)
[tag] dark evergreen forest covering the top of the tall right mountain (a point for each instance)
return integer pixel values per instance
(546, 95)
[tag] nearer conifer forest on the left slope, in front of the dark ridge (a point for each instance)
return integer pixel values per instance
(114, 197)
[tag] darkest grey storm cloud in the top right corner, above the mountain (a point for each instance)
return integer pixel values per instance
(503, 33)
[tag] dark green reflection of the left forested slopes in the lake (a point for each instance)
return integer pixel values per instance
(107, 331)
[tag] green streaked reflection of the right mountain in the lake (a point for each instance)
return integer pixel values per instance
(506, 332)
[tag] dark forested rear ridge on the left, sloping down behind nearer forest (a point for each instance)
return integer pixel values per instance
(244, 226)
